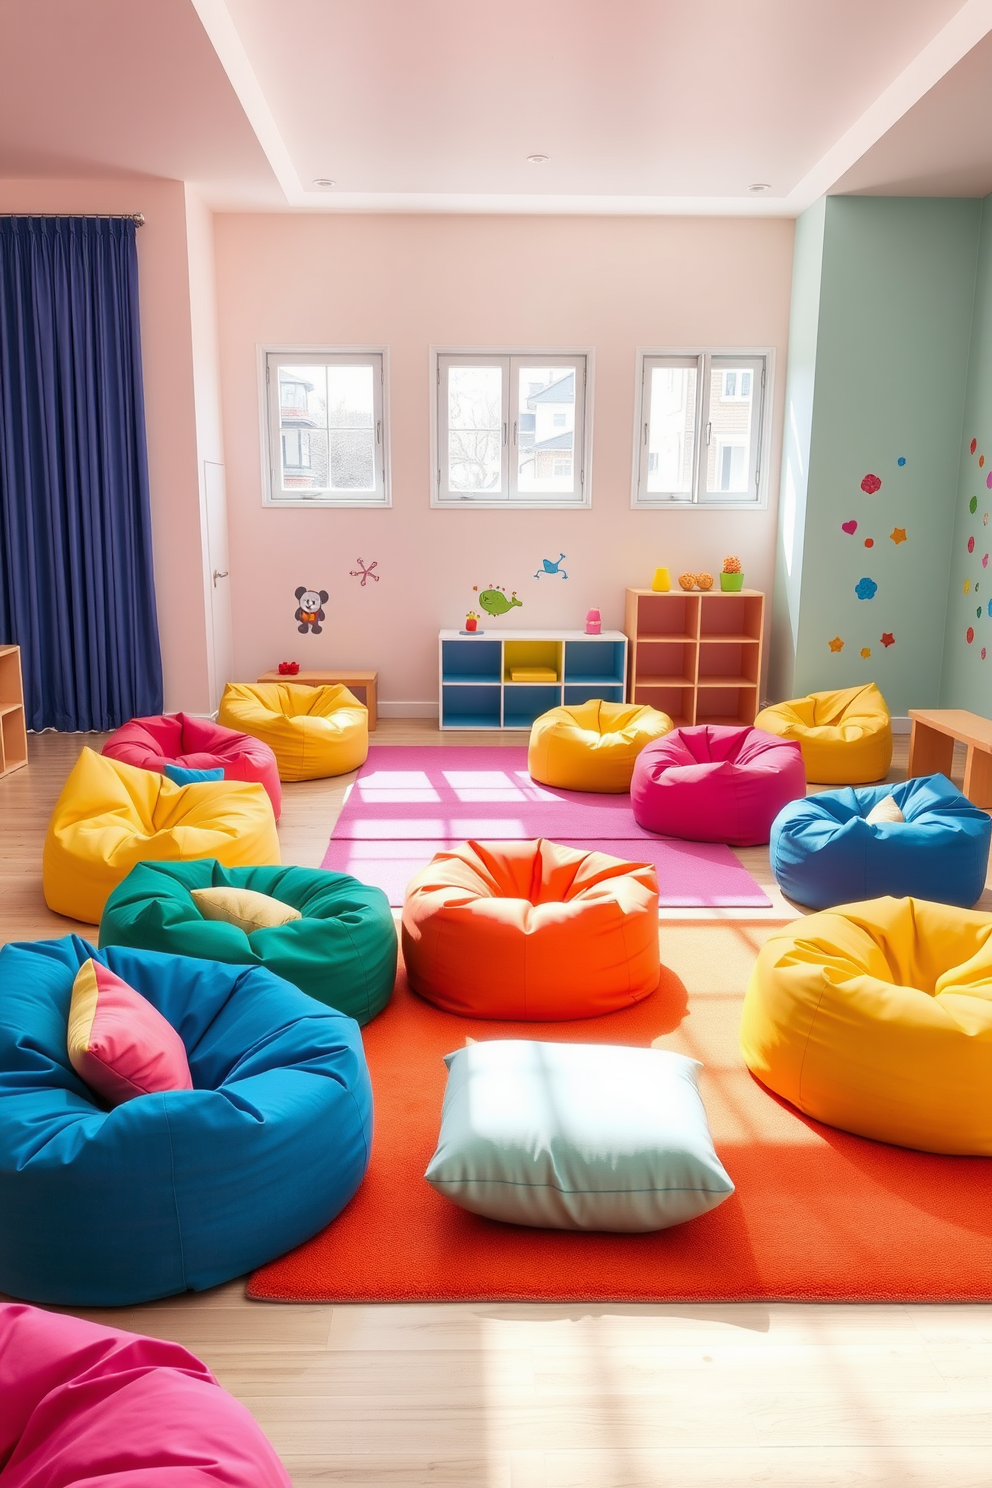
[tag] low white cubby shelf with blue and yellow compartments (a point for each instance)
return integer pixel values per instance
(478, 688)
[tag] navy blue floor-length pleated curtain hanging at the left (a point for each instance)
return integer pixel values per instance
(77, 586)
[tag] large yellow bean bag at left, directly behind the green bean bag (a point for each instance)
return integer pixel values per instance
(112, 816)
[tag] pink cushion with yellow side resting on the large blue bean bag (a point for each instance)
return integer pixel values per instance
(118, 1042)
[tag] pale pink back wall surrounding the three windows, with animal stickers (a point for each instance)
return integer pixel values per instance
(413, 282)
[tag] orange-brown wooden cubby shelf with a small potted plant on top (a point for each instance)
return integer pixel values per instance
(697, 657)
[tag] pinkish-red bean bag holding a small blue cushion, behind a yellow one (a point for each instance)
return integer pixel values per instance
(176, 739)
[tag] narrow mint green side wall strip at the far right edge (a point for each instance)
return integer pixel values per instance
(966, 676)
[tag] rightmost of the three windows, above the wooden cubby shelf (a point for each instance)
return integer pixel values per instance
(700, 429)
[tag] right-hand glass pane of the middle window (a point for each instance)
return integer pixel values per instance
(547, 431)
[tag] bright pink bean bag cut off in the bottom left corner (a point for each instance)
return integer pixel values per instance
(90, 1405)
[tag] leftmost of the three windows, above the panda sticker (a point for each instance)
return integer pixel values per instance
(325, 425)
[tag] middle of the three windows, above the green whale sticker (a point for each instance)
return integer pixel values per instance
(511, 429)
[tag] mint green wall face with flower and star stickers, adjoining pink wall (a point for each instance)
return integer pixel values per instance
(893, 312)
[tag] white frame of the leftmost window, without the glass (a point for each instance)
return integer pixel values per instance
(270, 358)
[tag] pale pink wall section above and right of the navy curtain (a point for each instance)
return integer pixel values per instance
(169, 395)
